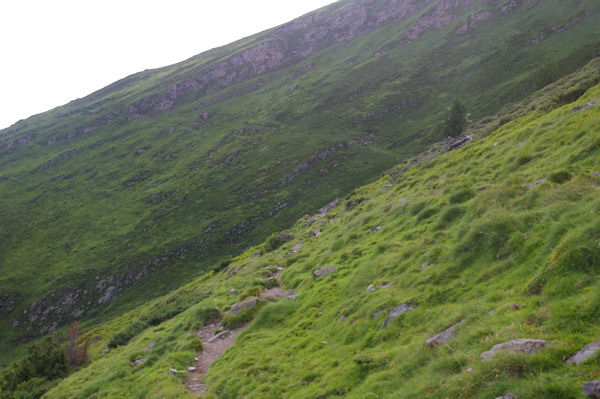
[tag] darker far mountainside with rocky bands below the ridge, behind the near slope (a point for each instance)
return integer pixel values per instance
(127, 193)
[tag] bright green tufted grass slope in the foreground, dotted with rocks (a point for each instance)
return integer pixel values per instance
(500, 239)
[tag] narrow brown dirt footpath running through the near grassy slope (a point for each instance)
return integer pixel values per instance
(213, 346)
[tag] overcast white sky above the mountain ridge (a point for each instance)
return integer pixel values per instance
(54, 51)
